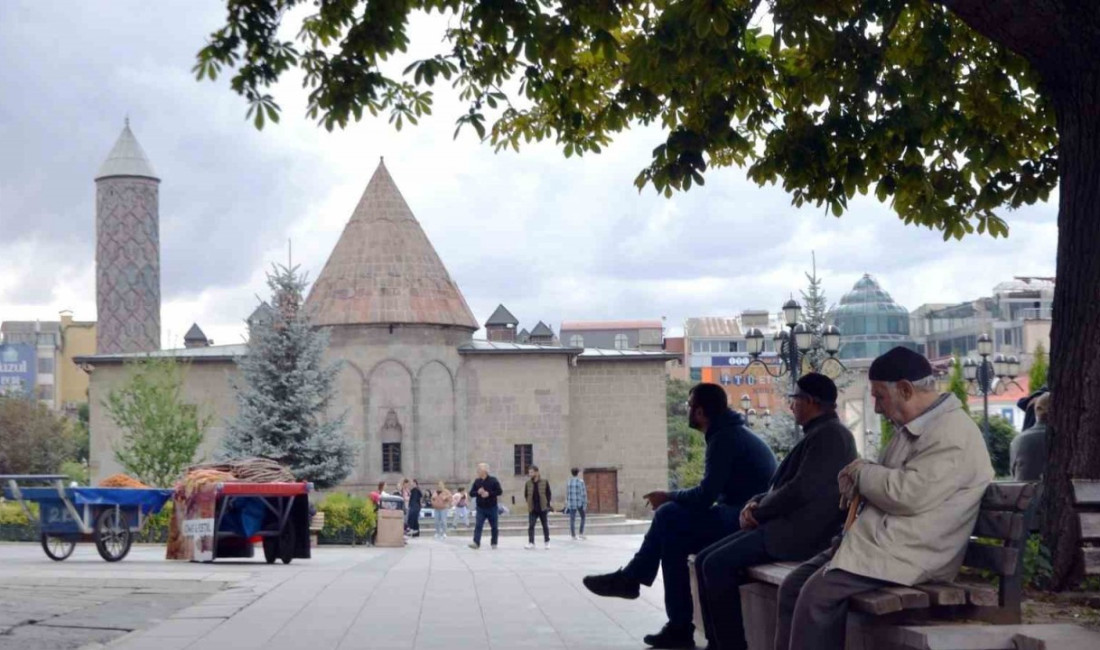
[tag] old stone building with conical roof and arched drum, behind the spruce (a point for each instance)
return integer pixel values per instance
(426, 400)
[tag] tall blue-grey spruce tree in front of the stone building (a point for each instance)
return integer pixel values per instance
(284, 391)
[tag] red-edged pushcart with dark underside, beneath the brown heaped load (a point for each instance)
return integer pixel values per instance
(276, 514)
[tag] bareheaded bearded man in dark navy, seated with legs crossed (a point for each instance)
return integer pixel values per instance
(736, 467)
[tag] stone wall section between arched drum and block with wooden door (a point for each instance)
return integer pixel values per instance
(519, 400)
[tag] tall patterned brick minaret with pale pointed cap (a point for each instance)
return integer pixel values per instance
(128, 251)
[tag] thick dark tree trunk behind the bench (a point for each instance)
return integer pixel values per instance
(1075, 336)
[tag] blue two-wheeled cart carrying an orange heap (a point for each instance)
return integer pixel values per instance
(107, 516)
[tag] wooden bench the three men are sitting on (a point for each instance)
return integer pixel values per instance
(1003, 525)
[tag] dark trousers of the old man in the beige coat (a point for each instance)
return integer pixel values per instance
(813, 605)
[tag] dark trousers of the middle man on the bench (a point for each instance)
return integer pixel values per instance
(720, 570)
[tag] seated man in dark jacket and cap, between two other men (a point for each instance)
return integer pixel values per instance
(794, 522)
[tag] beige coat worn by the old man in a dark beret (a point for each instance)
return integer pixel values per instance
(922, 502)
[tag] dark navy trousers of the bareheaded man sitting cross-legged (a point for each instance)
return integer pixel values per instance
(676, 533)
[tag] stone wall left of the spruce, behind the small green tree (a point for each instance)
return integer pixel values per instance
(207, 384)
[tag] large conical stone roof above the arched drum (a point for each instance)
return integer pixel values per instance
(384, 271)
